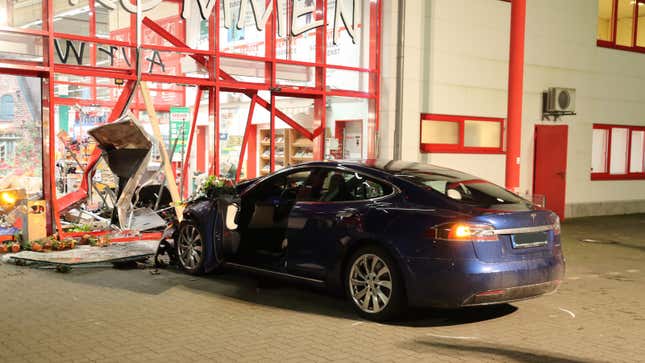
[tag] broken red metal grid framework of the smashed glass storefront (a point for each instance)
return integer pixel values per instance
(216, 81)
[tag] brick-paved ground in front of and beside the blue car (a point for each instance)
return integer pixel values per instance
(106, 315)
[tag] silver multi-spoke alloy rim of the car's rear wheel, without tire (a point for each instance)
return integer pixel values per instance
(370, 283)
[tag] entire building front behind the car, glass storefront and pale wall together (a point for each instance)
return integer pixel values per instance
(241, 88)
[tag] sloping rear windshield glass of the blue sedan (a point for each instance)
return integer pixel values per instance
(467, 190)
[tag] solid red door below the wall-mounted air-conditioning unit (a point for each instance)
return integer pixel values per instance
(550, 165)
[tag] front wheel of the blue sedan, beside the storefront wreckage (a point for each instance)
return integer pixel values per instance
(189, 247)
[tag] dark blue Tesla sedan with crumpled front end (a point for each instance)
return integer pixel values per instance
(390, 234)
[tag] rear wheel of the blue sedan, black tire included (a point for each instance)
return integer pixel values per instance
(373, 284)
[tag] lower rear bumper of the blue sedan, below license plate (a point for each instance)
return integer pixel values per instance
(457, 283)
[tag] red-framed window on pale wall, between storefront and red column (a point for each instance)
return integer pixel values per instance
(459, 147)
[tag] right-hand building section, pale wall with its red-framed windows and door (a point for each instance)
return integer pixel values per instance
(456, 63)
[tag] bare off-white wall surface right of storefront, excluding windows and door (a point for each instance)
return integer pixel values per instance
(461, 68)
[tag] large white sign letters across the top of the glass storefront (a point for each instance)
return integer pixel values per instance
(299, 10)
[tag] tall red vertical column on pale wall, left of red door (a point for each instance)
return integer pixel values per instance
(515, 93)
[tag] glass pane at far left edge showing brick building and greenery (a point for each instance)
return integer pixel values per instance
(21, 133)
